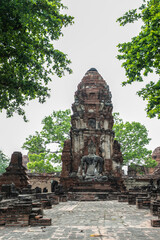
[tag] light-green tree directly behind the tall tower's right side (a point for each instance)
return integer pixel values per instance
(133, 138)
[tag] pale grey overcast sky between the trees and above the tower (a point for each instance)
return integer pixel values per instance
(90, 42)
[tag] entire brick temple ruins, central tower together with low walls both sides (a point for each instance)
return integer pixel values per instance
(91, 166)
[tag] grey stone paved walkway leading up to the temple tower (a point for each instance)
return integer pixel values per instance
(108, 220)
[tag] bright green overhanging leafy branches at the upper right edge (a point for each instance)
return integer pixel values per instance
(141, 55)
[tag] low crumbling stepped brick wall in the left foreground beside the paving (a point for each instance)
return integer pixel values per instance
(24, 213)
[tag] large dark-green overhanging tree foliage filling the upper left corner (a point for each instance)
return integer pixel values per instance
(28, 29)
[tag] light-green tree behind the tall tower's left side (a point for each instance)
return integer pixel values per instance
(54, 132)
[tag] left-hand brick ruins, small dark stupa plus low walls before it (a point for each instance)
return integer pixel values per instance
(19, 204)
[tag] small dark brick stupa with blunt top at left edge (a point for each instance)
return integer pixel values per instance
(15, 172)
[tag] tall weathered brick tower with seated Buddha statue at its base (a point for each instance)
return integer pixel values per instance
(91, 160)
